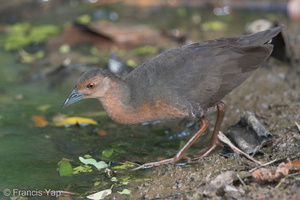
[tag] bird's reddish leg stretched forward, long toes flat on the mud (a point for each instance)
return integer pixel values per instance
(179, 155)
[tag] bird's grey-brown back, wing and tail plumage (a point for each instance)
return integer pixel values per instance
(197, 76)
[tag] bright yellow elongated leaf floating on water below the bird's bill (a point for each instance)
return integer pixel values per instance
(71, 121)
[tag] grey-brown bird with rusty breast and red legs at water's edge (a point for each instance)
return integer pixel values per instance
(185, 82)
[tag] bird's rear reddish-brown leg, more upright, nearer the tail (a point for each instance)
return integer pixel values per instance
(214, 140)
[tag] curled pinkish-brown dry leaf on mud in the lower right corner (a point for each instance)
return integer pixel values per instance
(265, 176)
